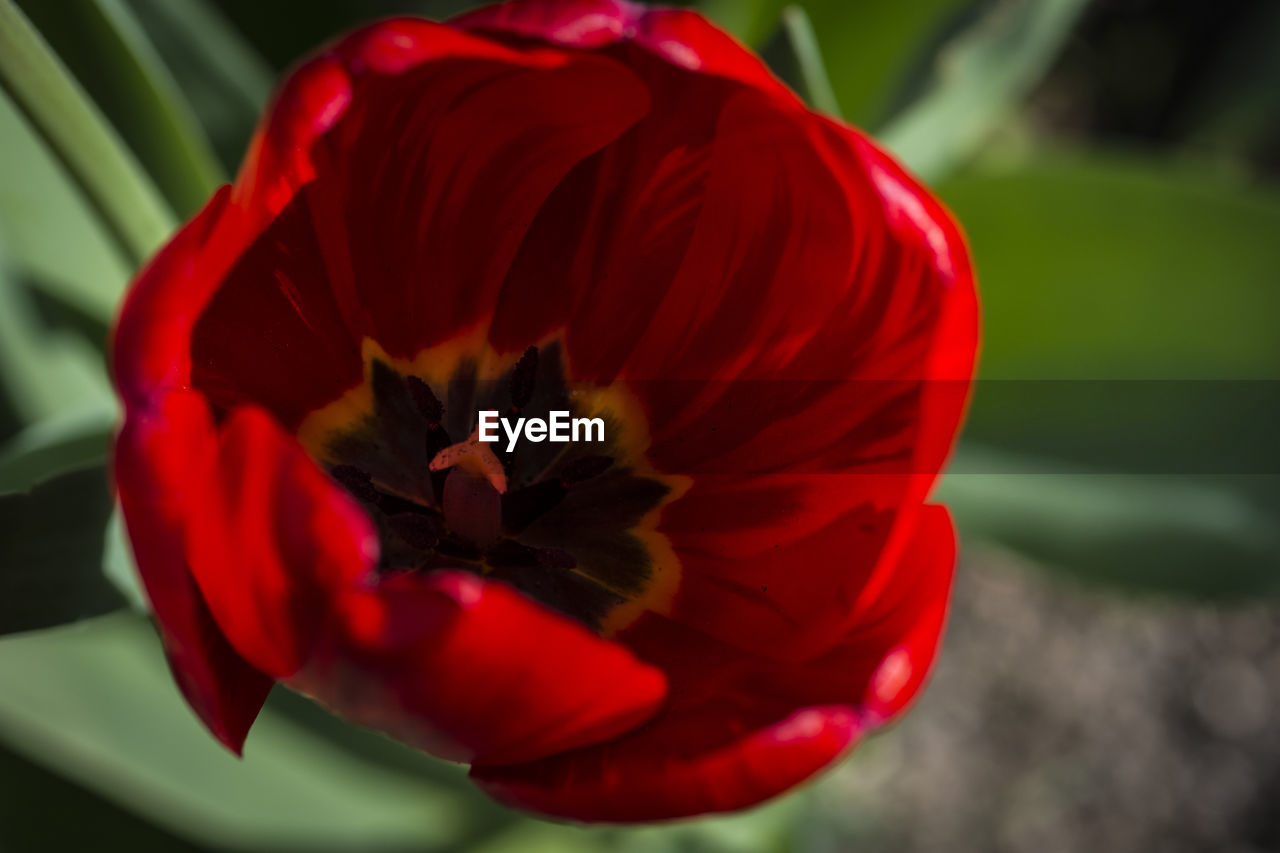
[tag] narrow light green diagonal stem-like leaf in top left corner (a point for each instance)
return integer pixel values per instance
(84, 142)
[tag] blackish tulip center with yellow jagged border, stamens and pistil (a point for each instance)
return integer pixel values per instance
(570, 524)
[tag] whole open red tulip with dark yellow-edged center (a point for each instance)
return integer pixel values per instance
(580, 206)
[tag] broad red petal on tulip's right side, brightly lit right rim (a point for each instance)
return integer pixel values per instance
(853, 386)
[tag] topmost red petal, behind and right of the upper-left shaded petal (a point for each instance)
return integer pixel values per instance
(655, 215)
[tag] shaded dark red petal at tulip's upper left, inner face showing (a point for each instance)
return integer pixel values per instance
(399, 236)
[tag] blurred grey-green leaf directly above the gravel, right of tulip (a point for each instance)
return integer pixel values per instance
(1191, 536)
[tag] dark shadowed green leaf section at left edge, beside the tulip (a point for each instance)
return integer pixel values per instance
(51, 564)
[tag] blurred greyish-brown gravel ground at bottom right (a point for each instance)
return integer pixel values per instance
(1064, 718)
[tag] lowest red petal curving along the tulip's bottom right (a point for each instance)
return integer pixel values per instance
(738, 728)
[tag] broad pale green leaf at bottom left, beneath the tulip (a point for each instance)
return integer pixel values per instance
(97, 704)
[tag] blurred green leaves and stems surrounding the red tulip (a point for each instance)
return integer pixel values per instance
(1096, 266)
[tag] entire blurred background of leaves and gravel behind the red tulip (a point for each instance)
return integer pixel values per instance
(1110, 678)
